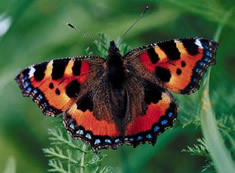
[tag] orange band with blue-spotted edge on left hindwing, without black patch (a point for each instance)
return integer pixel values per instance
(98, 133)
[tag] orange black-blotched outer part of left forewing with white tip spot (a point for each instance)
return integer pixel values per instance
(54, 85)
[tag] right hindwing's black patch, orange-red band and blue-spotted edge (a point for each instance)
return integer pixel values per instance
(161, 111)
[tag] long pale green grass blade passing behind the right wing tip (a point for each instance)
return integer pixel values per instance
(215, 145)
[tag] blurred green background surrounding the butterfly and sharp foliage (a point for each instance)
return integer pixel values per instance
(35, 31)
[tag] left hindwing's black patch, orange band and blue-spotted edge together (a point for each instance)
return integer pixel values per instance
(81, 123)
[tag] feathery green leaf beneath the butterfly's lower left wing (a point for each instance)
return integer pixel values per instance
(71, 156)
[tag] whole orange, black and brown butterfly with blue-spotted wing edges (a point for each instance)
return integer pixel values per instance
(121, 99)
